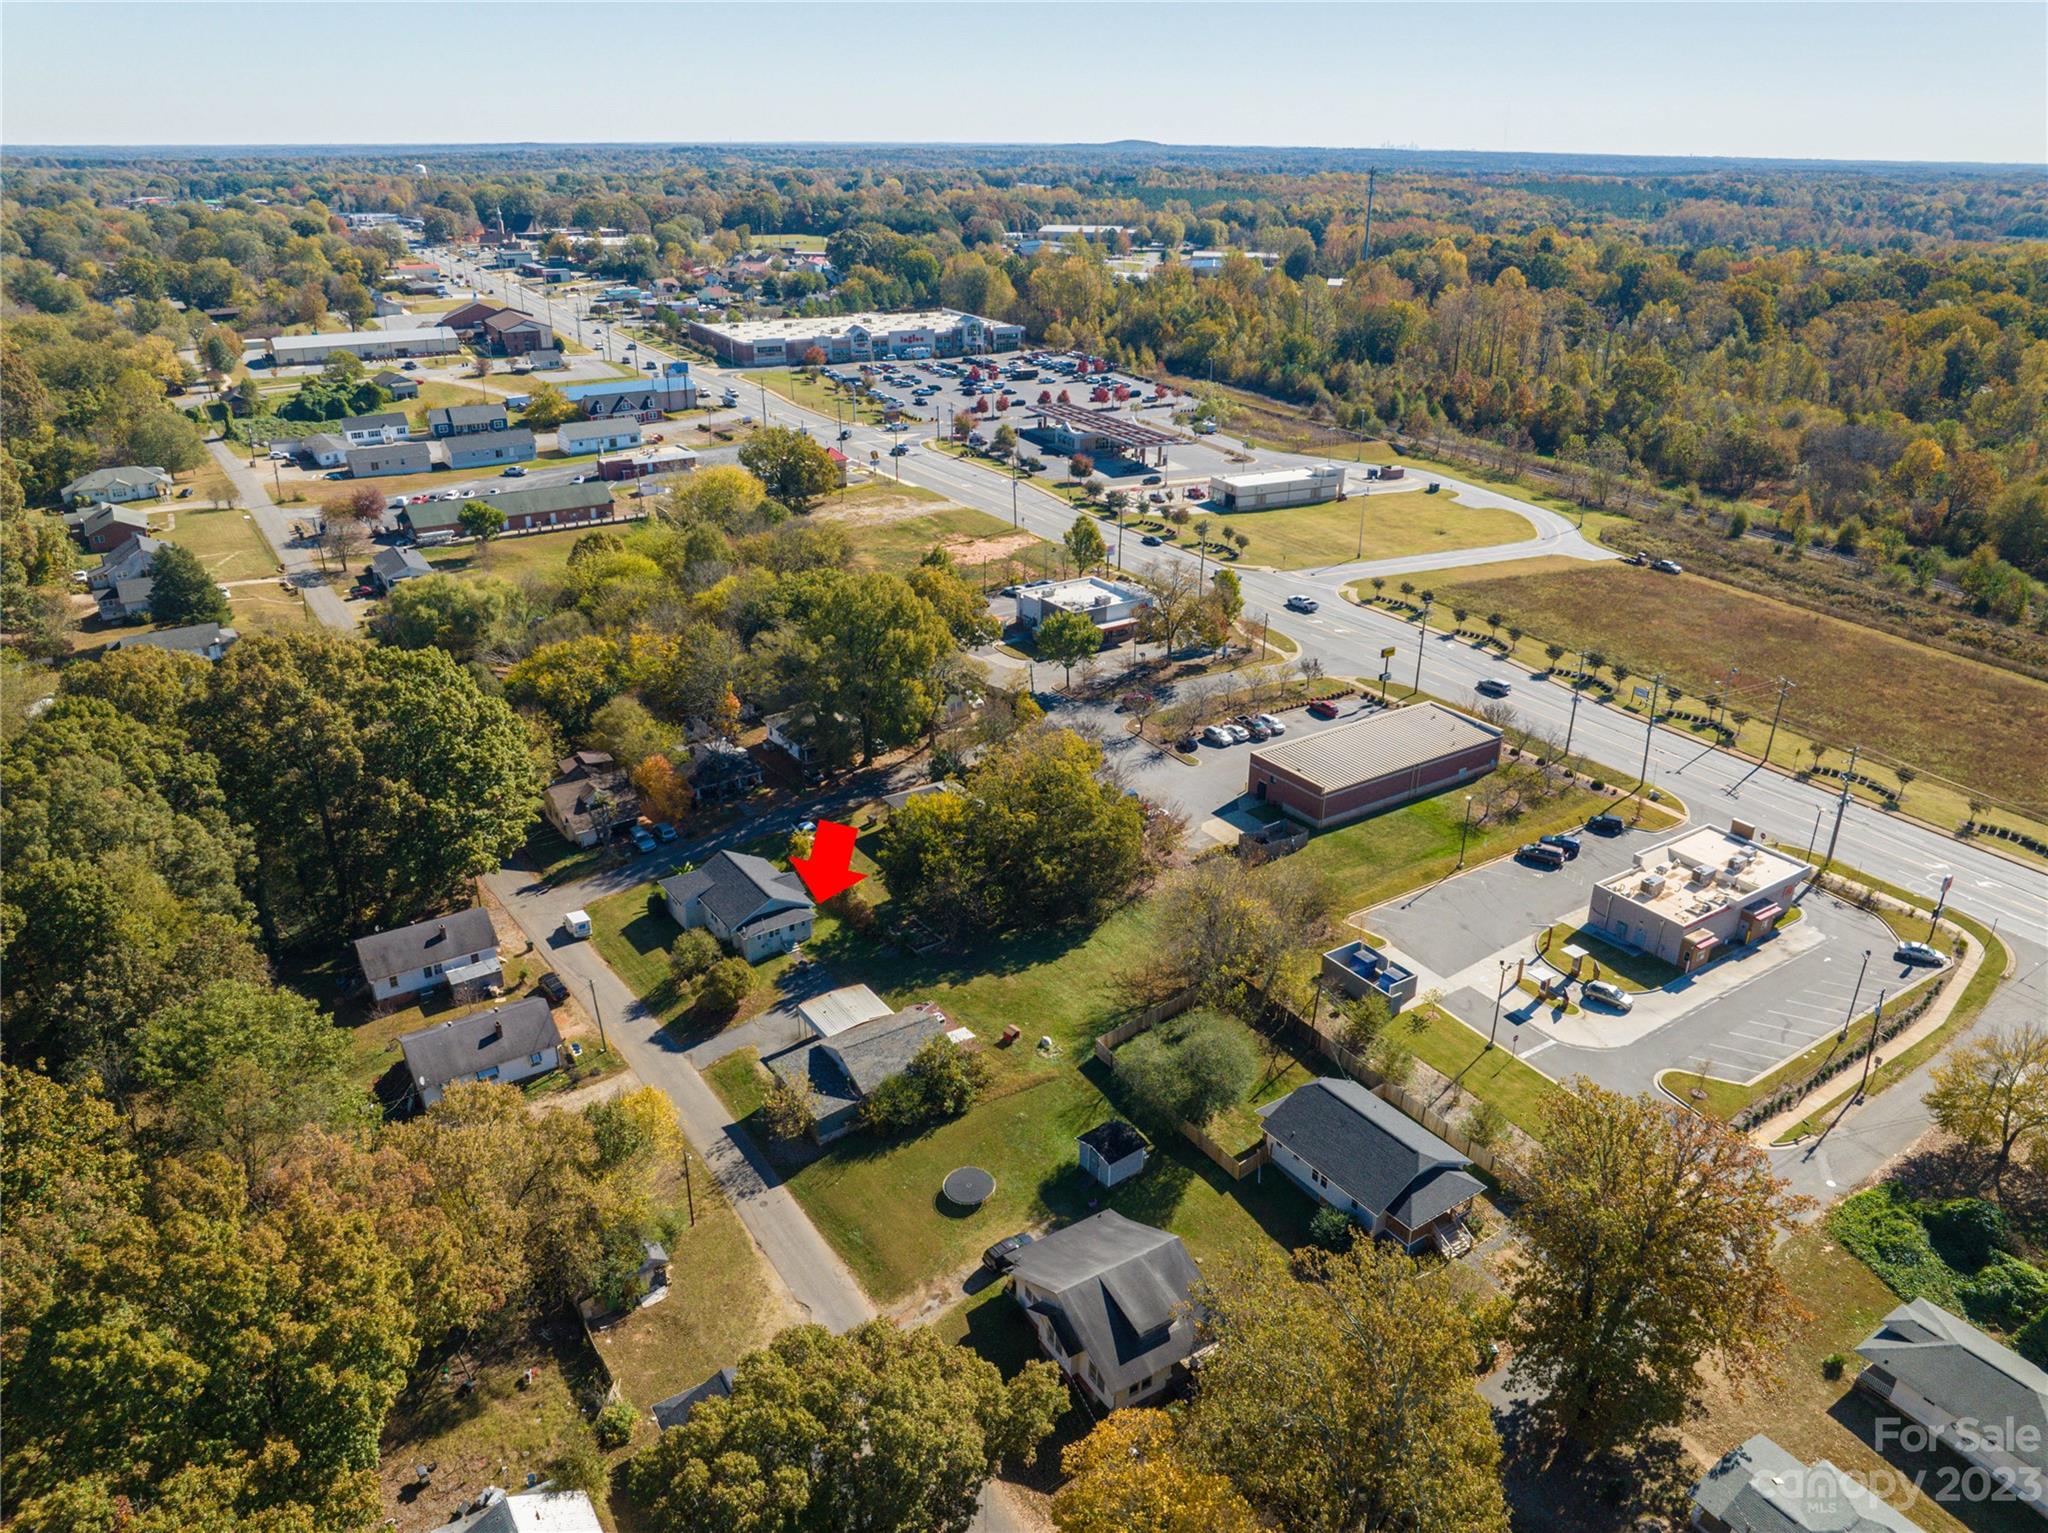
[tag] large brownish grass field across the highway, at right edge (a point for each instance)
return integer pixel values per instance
(1971, 724)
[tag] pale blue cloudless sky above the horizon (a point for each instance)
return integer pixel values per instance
(1660, 77)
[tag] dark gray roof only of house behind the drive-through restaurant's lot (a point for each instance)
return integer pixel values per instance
(1371, 1151)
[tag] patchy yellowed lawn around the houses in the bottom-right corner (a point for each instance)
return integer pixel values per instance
(1816, 1417)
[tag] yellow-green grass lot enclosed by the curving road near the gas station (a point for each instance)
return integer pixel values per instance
(1394, 525)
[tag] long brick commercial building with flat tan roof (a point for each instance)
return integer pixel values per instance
(1392, 758)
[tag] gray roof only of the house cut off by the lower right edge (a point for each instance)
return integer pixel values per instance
(1965, 1374)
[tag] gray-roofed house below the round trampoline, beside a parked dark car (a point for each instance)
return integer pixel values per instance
(1119, 1293)
